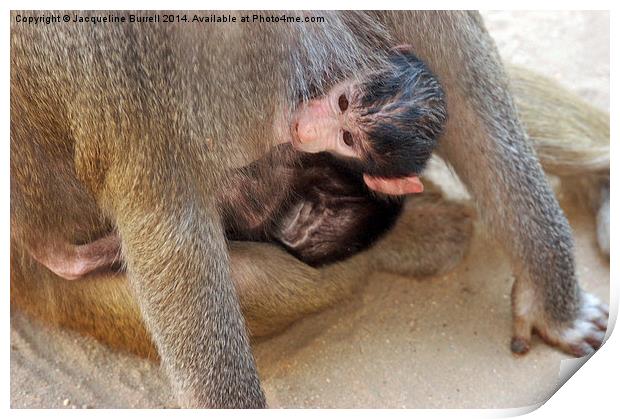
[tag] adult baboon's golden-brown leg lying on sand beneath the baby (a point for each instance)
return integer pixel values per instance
(274, 288)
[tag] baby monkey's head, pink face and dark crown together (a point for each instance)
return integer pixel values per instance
(384, 126)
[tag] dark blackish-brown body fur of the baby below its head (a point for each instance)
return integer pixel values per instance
(329, 216)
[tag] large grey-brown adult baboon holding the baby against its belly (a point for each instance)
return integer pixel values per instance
(106, 134)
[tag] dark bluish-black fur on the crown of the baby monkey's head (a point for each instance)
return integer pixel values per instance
(402, 113)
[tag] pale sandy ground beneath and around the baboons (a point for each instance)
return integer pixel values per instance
(441, 342)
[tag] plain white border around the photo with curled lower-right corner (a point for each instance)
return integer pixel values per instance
(592, 392)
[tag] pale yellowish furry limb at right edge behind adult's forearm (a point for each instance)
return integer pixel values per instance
(571, 138)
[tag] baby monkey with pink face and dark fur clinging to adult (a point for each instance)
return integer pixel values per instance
(380, 129)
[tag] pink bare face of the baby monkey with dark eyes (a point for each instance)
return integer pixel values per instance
(329, 123)
